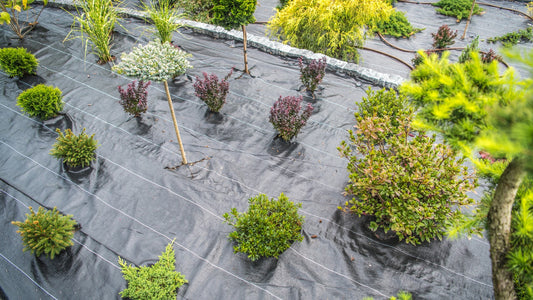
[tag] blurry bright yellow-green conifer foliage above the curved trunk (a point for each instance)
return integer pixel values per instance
(452, 98)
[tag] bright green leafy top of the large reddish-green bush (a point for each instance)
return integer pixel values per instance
(384, 103)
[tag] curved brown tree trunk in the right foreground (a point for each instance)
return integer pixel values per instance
(499, 221)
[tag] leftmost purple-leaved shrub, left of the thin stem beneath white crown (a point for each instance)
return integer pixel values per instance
(134, 98)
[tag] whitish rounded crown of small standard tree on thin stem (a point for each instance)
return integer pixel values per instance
(154, 61)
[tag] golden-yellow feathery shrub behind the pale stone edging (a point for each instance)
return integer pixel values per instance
(335, 28)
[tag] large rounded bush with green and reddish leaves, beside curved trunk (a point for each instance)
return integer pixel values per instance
(406, 181)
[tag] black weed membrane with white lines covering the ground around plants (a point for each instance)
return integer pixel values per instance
(133, 200)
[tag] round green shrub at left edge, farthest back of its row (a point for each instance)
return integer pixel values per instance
(17, 62)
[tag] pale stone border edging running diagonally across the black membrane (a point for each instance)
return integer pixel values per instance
(267, 45)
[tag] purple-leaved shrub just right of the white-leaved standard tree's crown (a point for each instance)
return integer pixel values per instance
(212, 91)
